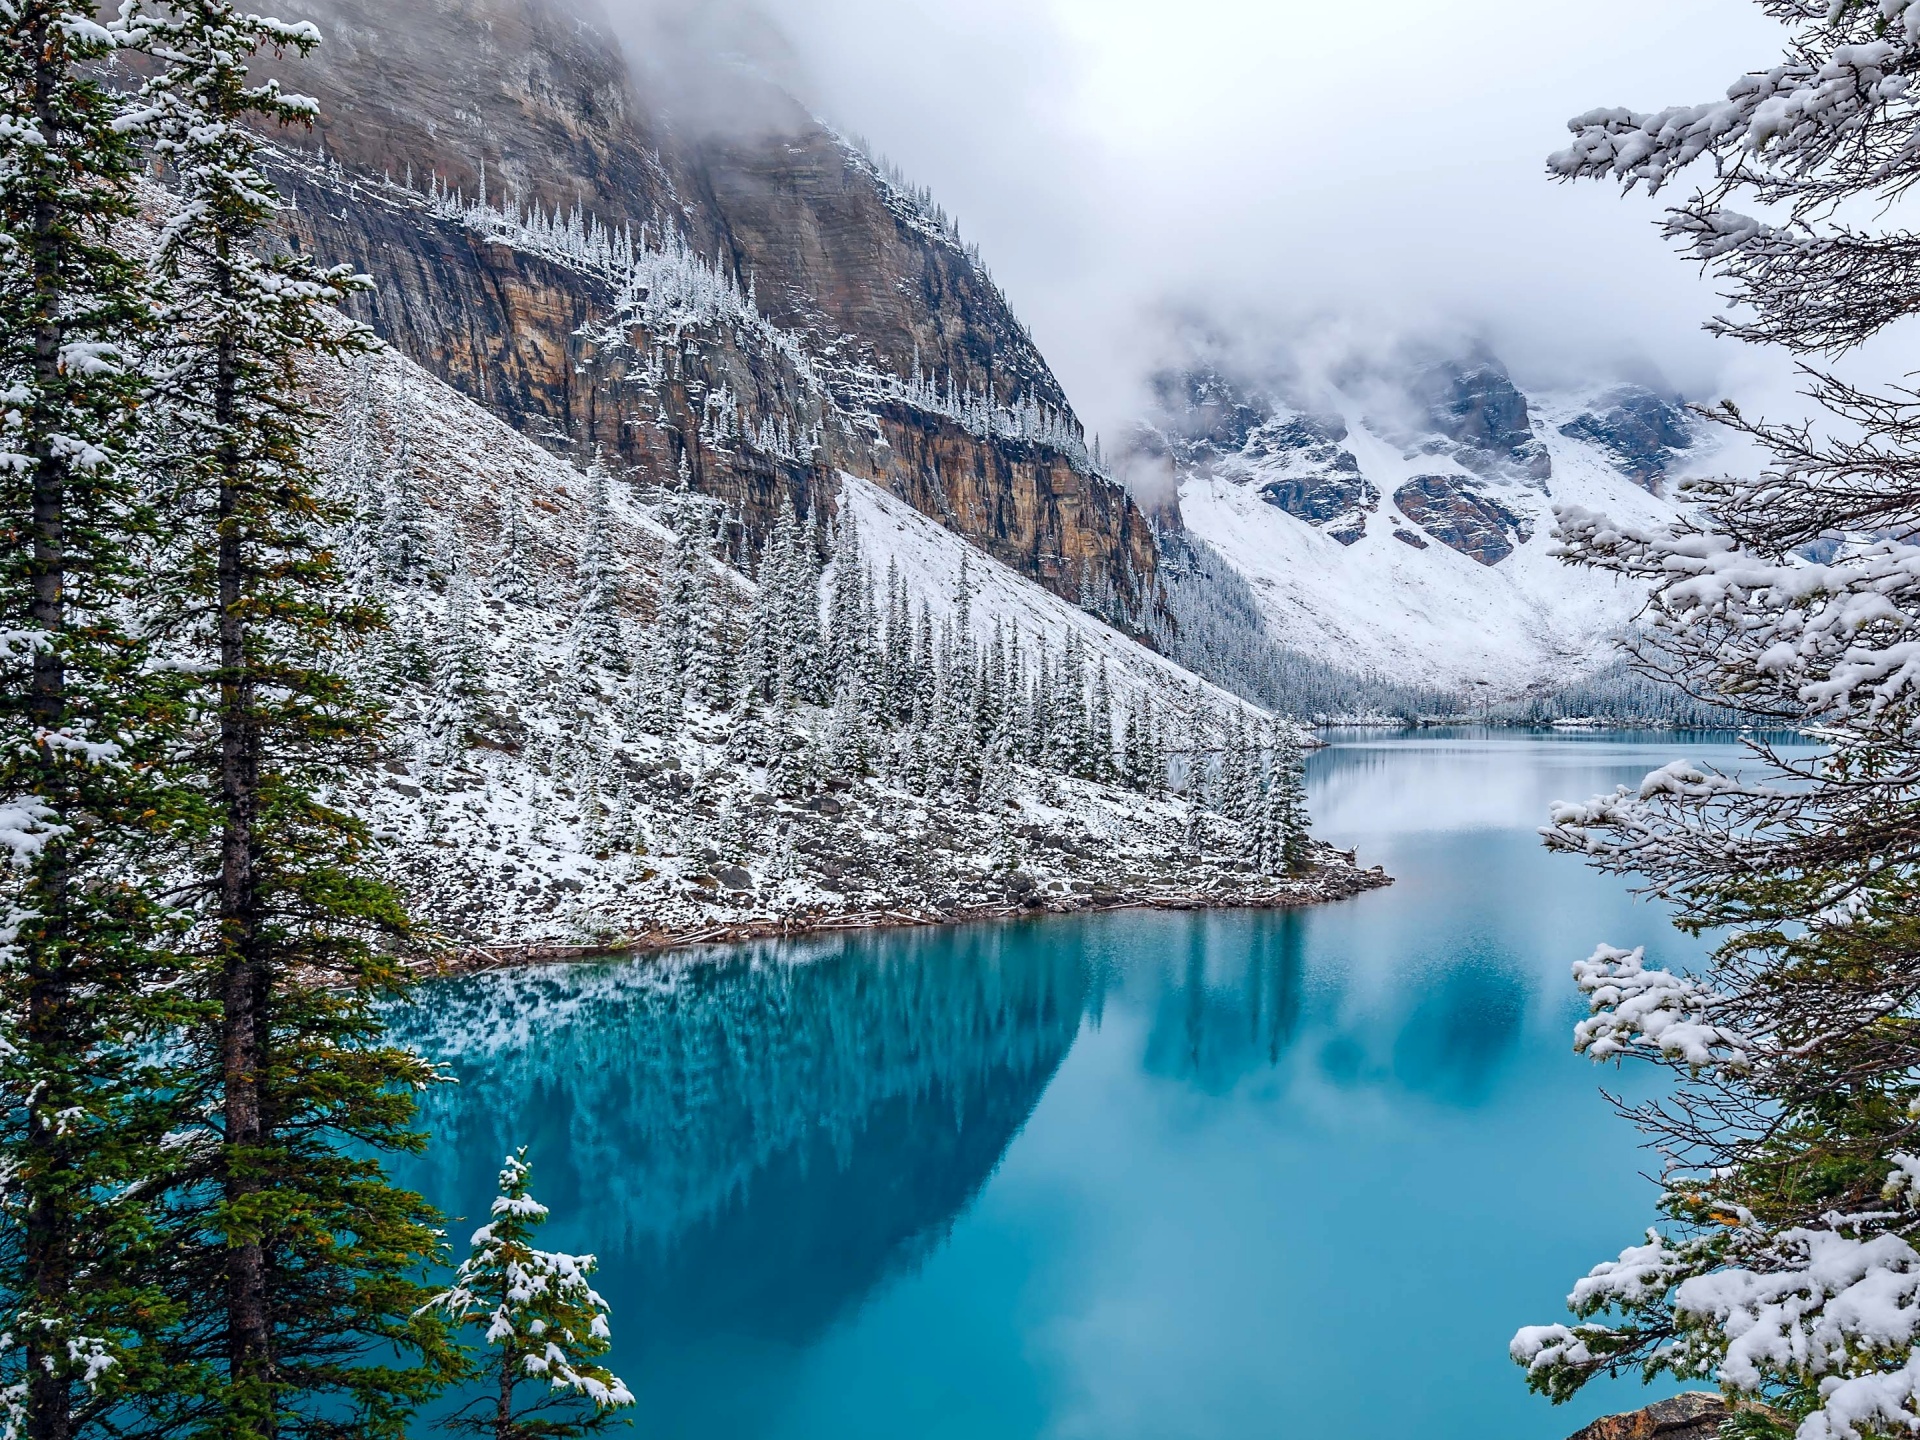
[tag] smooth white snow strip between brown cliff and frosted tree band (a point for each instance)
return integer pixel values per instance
(928, 556)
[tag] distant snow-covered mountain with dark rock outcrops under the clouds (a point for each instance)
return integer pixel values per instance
(1399, 519)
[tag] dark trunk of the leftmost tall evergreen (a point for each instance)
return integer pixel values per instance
(51, 1218)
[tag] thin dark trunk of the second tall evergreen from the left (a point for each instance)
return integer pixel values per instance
(245, 980)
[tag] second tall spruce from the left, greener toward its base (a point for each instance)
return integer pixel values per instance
(299, 1260)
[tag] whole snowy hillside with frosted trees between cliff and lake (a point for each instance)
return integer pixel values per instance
(604, 734)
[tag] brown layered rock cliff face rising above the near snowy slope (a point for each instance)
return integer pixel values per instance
(763, 302)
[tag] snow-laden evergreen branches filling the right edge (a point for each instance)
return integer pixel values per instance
(1785, 1264)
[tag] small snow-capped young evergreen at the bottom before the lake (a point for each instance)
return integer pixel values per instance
(540, 1318)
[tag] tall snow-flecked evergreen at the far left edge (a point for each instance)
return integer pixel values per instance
(87, 996)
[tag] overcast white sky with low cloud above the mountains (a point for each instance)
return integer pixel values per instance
(1293, 166)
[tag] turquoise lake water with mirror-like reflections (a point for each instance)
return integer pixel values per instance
(1126, 1176)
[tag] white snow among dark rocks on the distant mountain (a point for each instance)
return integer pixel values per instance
(1433, 615)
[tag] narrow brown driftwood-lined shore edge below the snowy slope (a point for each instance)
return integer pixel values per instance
(1320, 888)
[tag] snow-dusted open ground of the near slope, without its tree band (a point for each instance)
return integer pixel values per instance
(539, 790)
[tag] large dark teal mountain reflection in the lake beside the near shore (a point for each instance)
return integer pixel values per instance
(759, 1143)
